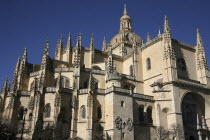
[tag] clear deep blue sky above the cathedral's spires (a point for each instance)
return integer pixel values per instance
(28, 23)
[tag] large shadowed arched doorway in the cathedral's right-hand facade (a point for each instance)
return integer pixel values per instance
(193, 108)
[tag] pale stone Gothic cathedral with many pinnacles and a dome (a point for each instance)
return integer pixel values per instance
(125, 91)
